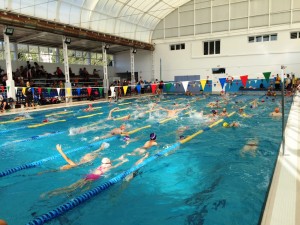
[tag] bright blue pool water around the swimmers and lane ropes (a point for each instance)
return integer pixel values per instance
(207, 180)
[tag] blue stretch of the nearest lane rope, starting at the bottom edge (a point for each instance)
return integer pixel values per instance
(95, 191)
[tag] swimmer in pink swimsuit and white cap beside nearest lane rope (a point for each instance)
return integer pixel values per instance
(106, 165)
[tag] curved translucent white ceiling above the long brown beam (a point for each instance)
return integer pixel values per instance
(132, 19)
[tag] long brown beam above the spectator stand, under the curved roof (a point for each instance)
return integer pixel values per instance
(17, 20)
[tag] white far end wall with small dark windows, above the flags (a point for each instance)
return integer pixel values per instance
(237, 55)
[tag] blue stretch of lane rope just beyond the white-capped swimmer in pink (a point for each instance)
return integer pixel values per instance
(39, 162)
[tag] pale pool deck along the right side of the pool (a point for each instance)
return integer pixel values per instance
(283, 203)
